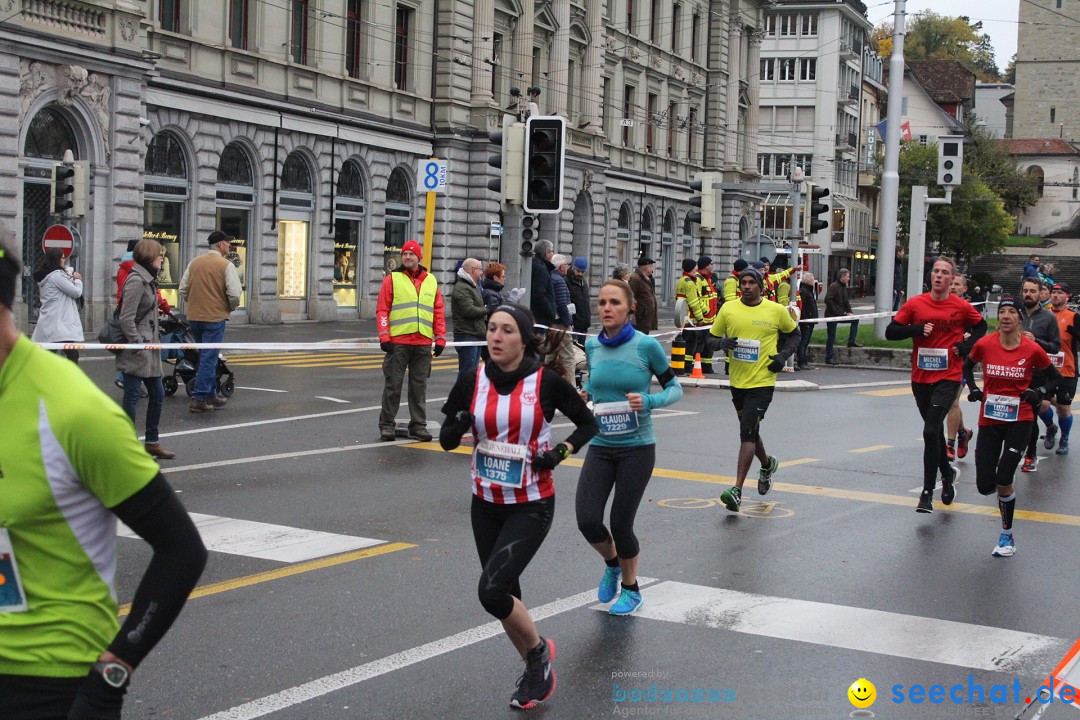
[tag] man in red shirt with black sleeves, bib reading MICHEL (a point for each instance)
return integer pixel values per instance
(937, 321)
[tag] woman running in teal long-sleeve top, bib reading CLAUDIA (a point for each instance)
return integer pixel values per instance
(622, 365)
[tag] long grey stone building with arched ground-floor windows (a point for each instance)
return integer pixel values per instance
(301, 127)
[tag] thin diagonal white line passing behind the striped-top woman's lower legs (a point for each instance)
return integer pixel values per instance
(399, 661)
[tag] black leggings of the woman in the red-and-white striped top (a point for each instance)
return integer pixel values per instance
(507, 539)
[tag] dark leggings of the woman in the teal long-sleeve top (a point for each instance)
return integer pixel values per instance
(626, 470)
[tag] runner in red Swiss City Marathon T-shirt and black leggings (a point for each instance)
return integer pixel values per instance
(1011, 366)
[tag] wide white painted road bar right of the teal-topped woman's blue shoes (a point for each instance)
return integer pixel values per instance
(927, 640)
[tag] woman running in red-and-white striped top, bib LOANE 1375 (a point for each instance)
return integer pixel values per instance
(508, 404)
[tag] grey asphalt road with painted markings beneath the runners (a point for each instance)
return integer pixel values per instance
(771, 614)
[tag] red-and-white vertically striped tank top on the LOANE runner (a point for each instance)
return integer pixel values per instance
(515, 419)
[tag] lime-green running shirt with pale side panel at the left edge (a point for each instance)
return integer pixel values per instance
(67, 455)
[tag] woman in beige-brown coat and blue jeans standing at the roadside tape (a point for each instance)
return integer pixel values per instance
(139, 321)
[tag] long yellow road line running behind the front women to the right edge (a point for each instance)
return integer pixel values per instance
(883, 498)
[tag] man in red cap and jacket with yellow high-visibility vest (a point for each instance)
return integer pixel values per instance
(410, 318)
